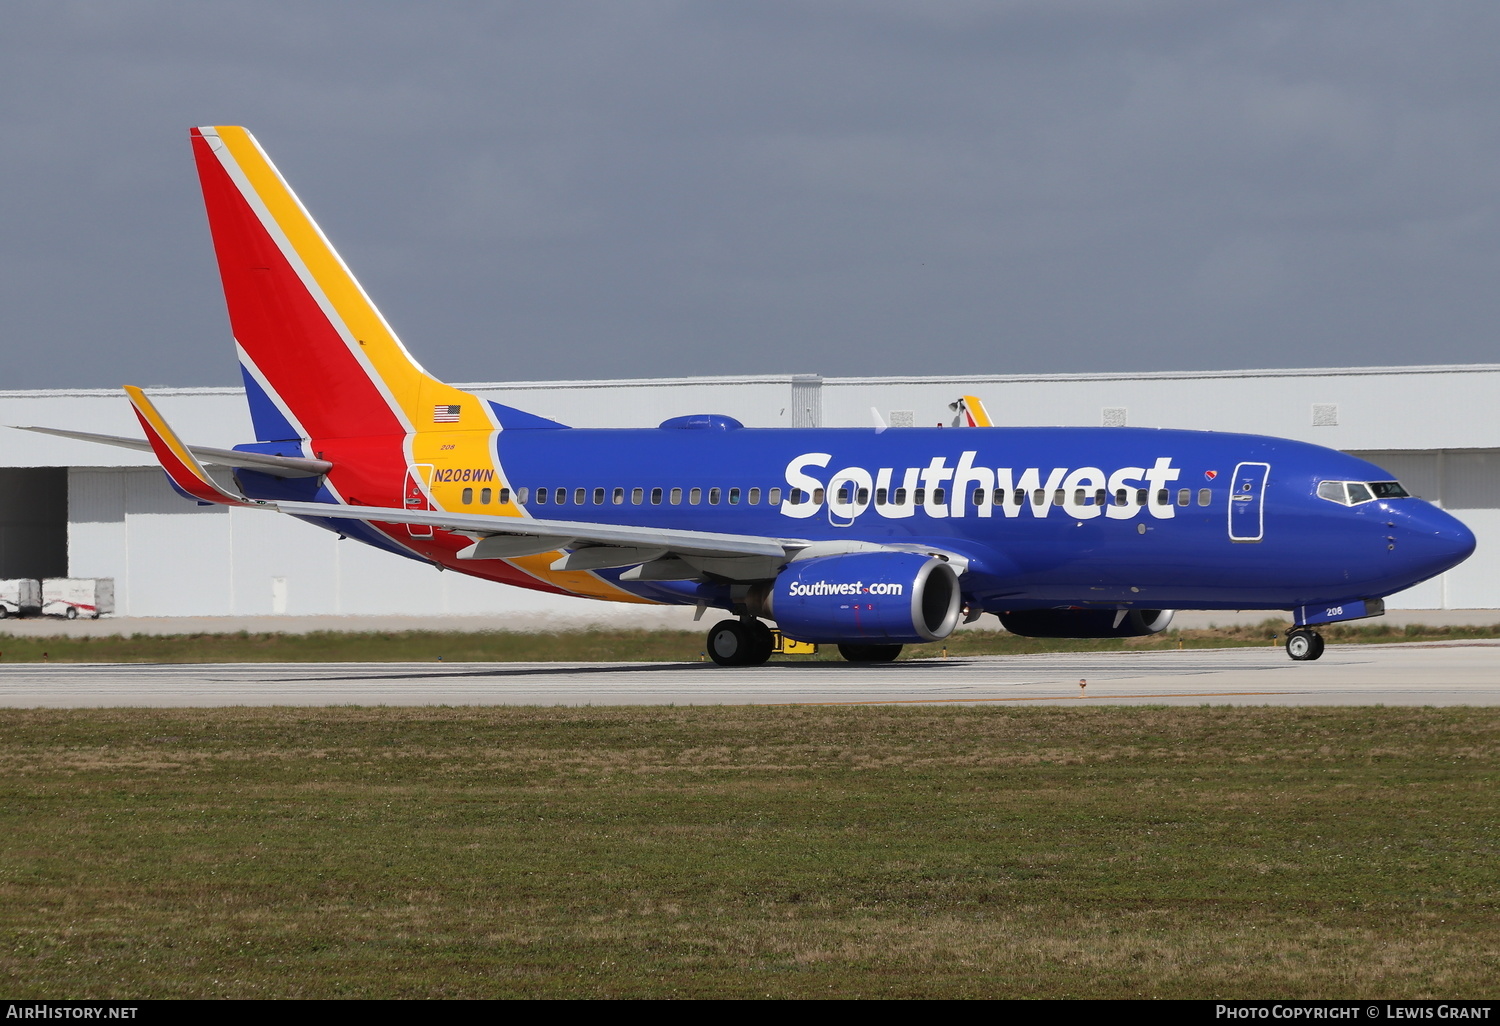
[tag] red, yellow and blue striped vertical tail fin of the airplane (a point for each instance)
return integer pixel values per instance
(319, 359)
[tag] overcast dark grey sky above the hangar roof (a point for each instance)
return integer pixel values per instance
(625, 188)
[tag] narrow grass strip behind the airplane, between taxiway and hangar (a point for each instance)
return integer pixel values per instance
(619, 646)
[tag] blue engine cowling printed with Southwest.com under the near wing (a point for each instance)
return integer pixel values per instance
(902, 598)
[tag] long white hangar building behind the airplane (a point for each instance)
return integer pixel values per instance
(86, 511)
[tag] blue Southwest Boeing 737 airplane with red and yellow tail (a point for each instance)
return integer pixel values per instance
(868, 539)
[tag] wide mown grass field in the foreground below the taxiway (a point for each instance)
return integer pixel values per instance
(1189, 853)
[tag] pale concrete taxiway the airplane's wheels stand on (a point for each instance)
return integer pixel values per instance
(1423, 674)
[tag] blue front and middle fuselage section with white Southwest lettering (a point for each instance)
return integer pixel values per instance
(1228, 523)
